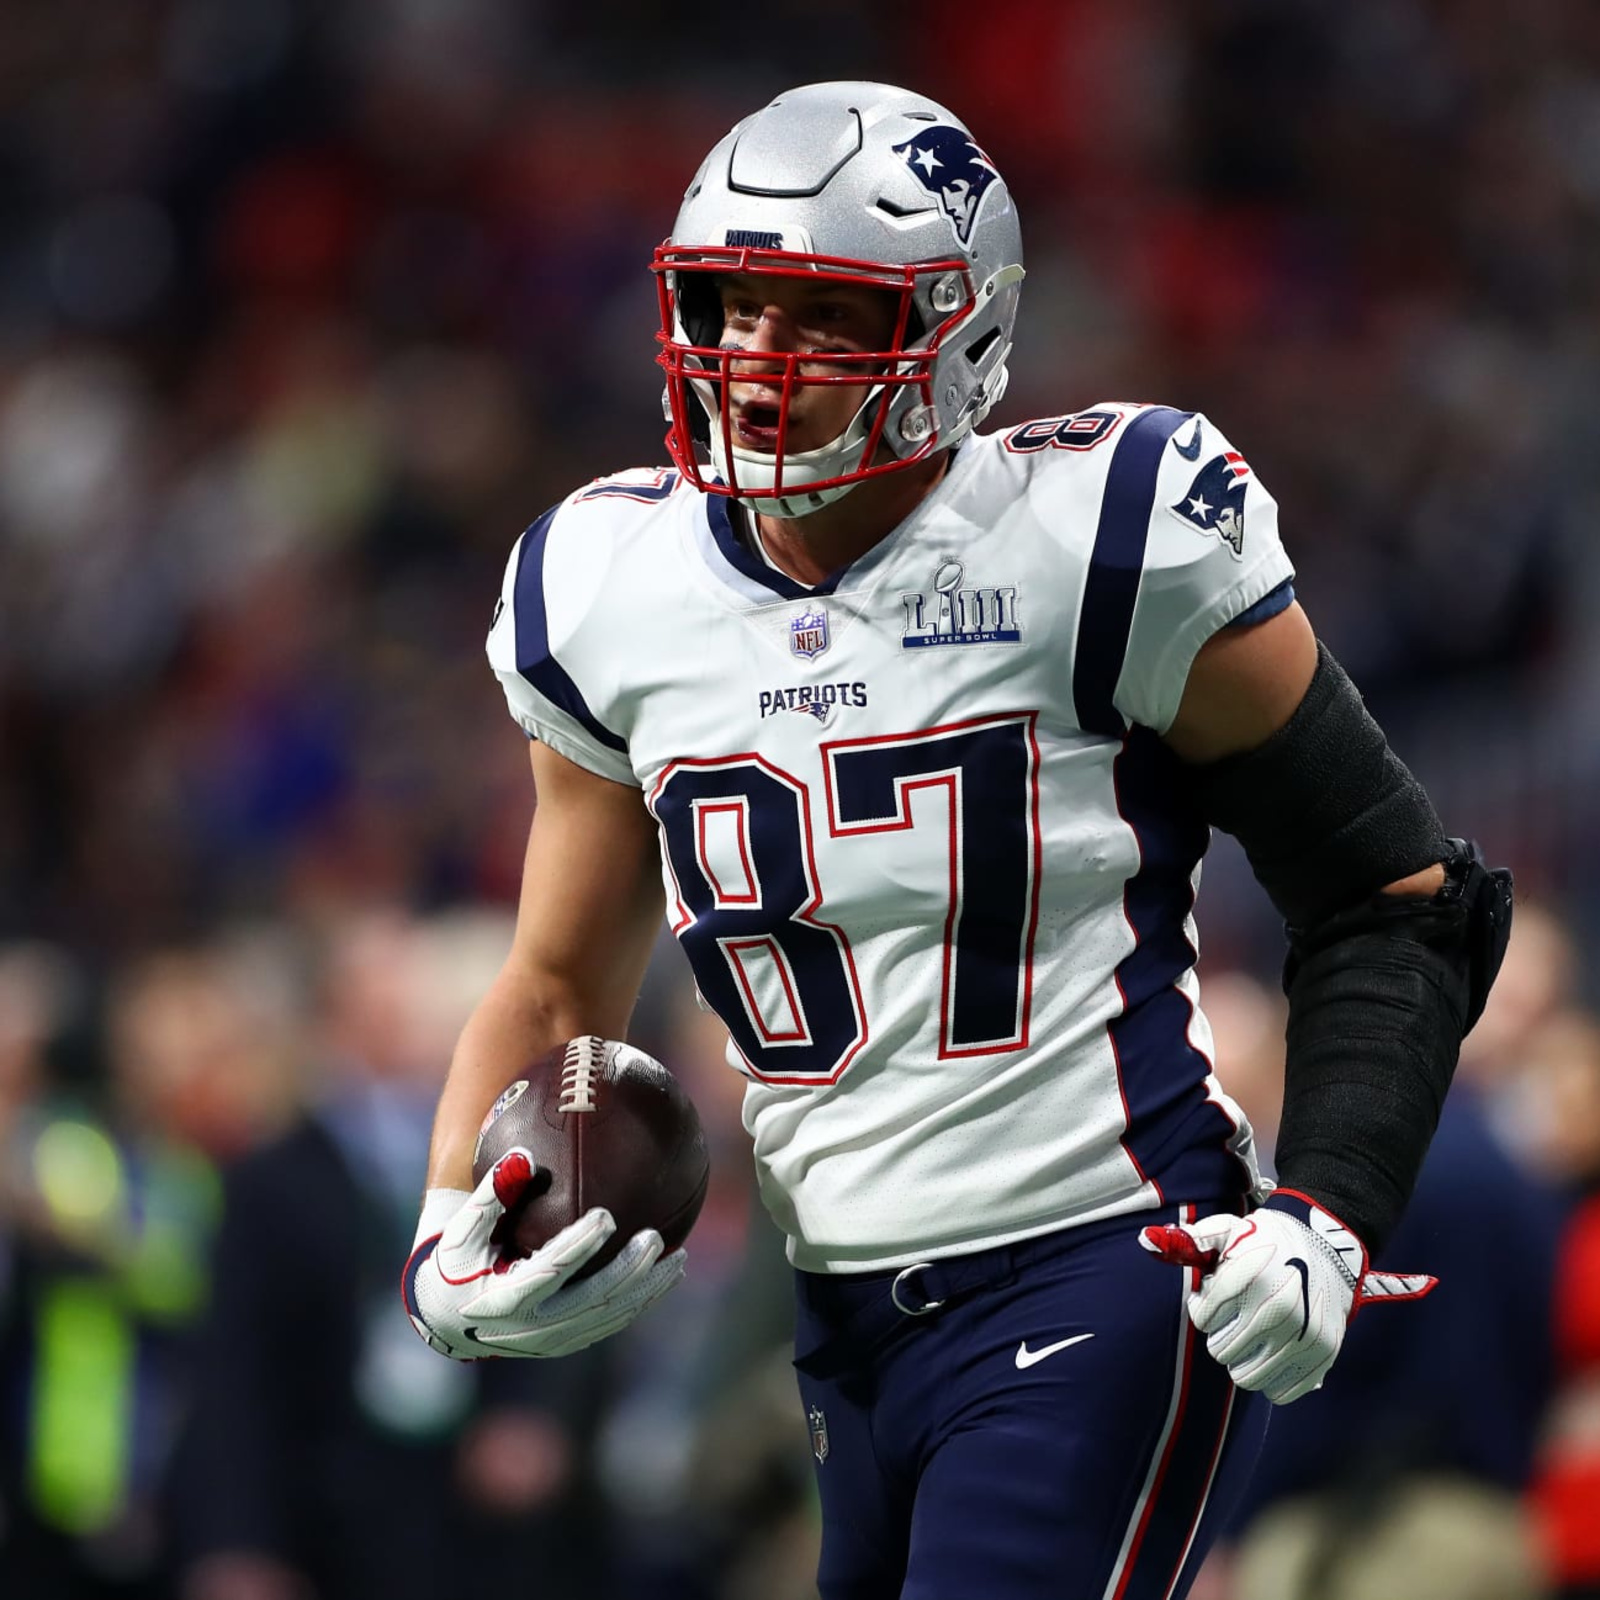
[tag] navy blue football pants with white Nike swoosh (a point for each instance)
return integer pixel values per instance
(1054, 1431)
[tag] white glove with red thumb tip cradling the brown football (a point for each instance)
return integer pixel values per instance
(468, 1300)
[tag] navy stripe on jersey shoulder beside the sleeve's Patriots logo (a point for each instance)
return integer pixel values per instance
(1116, 567)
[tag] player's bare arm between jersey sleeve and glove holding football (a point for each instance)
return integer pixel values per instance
(590, 913)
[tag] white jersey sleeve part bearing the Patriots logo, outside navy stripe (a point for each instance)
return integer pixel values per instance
(1210, 556)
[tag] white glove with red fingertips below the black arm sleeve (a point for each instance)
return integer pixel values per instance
(1278, 1290)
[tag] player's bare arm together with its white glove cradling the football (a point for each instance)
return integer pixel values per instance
(591, 903)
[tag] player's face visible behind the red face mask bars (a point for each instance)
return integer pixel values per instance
(775, 318)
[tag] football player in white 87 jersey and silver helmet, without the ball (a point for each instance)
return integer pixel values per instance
(918, 734)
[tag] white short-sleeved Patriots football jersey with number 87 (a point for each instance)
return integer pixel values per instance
(922, 846)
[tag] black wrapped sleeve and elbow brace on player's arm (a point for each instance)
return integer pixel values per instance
(1382, 988)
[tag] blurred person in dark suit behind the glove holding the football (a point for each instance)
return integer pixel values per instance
(329, 1454)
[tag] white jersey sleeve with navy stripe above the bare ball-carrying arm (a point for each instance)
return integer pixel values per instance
(537, 647)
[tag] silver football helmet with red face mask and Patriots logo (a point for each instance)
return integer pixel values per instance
(860, 183)
